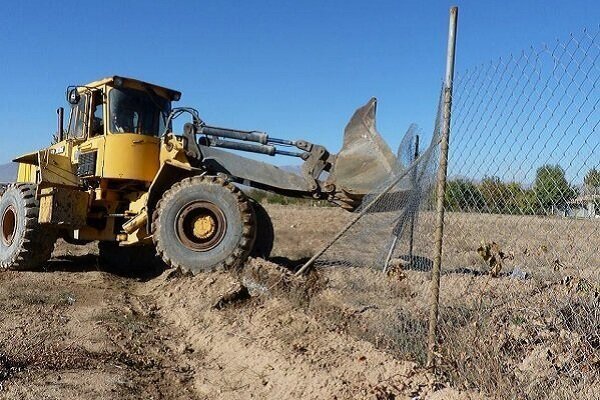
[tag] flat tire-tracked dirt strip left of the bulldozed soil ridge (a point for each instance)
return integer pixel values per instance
(75, 332)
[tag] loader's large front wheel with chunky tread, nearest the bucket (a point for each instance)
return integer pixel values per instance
(202, 224)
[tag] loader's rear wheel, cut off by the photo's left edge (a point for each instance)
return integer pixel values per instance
(24, 243)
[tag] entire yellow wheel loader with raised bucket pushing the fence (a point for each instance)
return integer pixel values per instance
(119, 175)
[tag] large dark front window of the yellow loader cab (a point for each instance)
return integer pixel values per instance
(138, 111)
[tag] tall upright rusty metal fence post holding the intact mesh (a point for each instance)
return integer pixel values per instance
(441, 189)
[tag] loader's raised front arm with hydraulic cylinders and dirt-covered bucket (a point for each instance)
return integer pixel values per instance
(363, 163)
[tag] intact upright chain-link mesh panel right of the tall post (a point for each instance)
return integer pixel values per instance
(520, 305)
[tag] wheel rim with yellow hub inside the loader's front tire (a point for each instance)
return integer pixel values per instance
(200, 226)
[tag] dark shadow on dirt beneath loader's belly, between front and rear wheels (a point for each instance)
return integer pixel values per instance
(91, 263)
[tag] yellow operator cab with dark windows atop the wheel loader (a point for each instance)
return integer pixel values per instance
(115, 126)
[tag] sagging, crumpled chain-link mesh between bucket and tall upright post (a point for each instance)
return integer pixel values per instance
(376, 273)
